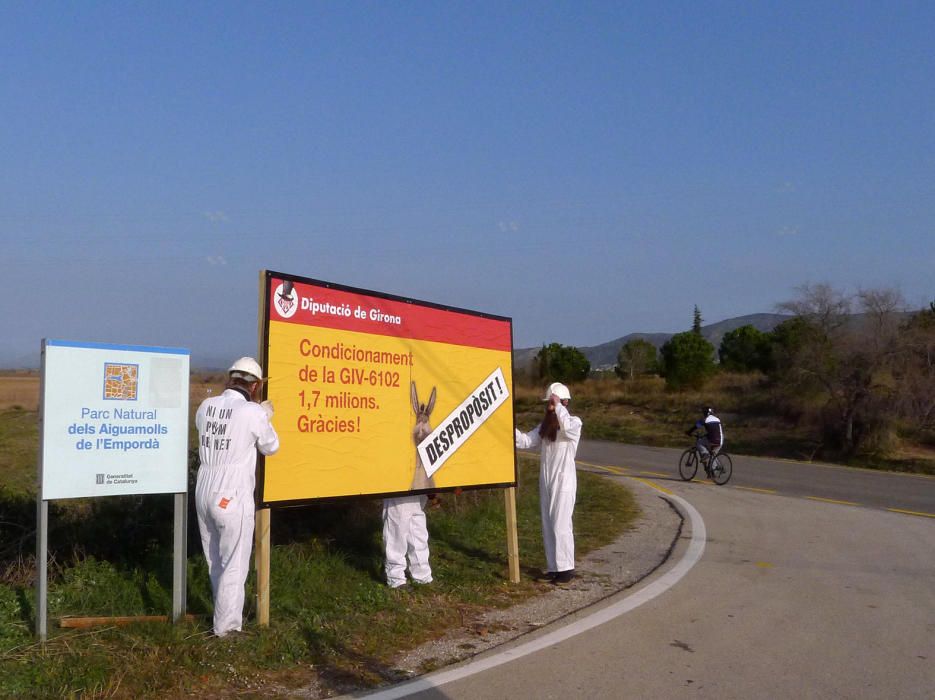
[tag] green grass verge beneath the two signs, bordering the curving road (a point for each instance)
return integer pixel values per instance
(333, 619)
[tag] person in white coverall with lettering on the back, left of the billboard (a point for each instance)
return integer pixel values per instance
(231, 428)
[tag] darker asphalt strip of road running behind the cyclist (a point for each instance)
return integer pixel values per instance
(887, 490)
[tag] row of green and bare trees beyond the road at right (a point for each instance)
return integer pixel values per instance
(864, 360)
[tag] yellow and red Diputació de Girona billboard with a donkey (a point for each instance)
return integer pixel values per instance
(376, 394)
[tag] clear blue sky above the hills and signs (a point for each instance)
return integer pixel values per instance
(588, 169)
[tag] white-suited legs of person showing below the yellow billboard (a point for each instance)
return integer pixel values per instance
(406, 536)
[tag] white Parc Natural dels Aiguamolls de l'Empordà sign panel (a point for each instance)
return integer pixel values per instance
(114, 420)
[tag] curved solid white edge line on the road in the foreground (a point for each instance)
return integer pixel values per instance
(691, 557)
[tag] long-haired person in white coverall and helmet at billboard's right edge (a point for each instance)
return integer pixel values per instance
(557, 437)
